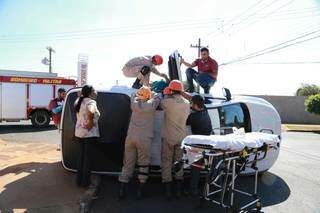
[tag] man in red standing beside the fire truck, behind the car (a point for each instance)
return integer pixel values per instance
(56, 105)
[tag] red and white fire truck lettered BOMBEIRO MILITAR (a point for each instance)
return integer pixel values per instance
(26, 95)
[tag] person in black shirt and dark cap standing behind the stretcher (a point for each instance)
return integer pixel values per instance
(200, 123)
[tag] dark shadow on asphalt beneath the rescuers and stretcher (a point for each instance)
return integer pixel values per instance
(272, 189)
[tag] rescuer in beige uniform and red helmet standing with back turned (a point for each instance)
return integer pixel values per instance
(176, 110)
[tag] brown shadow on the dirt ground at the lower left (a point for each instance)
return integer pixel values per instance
(38, 187)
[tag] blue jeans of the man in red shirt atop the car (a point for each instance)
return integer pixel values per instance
(203, 79)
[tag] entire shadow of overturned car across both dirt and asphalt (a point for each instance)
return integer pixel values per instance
(47, 187)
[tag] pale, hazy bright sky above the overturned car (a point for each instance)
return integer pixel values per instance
(111, 32)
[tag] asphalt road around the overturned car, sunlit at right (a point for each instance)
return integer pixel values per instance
(291, 185)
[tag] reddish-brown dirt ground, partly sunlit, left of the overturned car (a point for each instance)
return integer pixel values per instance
(33, 170)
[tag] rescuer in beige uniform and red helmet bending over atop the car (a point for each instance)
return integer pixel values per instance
(141, 67)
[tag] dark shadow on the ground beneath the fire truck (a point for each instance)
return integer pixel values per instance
(23, 128)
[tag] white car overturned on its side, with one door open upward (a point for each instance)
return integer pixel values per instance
(252, 114)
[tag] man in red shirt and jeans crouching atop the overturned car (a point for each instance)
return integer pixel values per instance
(207, 71)
